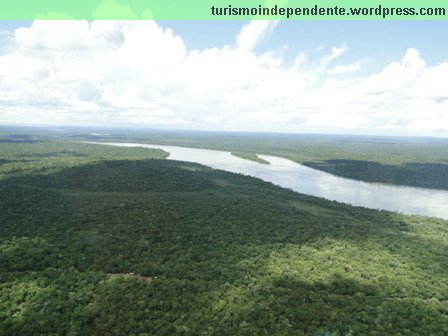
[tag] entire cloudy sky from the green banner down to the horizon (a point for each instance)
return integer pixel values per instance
(350, 77)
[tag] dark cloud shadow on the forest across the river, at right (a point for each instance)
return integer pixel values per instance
(428, 175)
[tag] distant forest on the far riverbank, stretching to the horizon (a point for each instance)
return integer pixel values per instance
(420, 162)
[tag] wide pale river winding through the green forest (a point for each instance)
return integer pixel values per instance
(289, 174)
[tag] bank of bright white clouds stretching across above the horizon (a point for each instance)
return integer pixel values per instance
(136, 73)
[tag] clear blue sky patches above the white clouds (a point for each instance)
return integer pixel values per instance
(376, 41)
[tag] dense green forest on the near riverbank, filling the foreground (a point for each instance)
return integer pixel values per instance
(98, 240)
